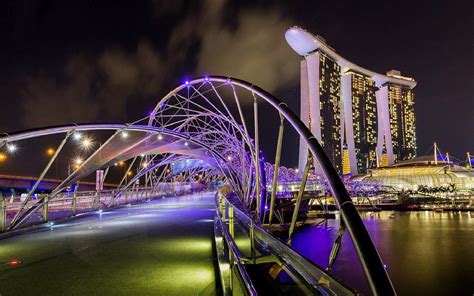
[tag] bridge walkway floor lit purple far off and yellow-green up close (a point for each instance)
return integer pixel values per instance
(158, 248)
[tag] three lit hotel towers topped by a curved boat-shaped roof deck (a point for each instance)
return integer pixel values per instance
(362, 119)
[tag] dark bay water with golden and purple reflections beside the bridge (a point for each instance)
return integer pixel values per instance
(426, 253)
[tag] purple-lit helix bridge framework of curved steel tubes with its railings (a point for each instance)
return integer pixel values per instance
(206, 135)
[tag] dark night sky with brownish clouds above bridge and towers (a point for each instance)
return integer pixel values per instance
(110, 61)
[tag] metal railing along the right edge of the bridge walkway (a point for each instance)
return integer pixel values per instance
(244, 246)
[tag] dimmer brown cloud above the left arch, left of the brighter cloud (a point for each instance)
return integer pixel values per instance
(91, 88)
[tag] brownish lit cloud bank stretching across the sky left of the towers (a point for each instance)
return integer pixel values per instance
(94, 87)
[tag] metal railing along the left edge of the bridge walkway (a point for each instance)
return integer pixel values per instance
(70, 204)
